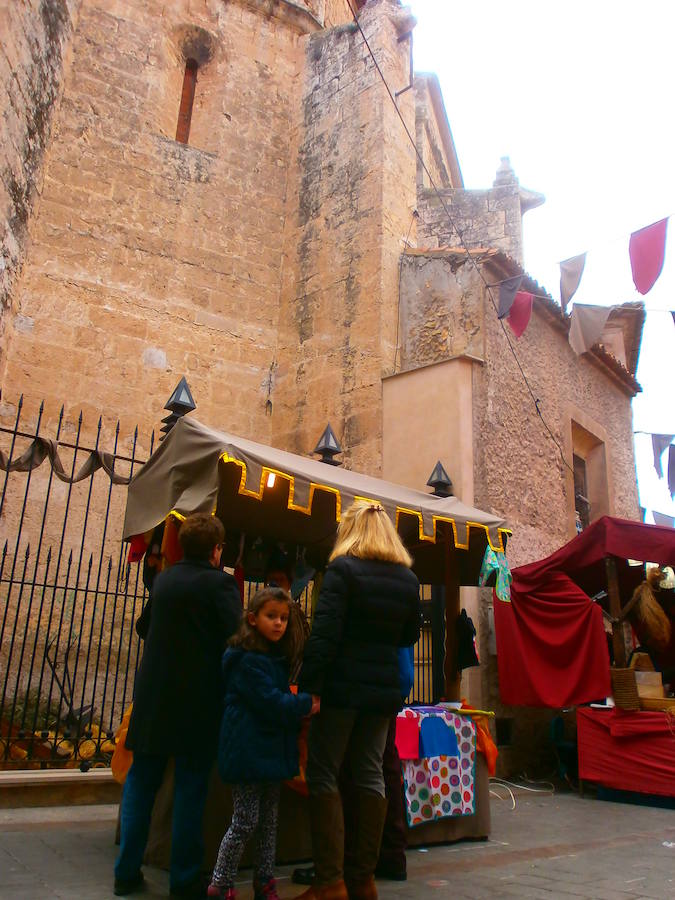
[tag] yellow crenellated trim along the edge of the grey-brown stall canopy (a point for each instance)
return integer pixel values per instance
(317, 486)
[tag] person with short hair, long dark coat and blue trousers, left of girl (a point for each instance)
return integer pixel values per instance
(178, 704)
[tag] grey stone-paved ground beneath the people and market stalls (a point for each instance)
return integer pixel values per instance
(549, 846)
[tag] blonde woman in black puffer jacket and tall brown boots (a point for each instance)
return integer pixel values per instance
(368, 607)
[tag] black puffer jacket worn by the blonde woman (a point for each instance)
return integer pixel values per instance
(366, 609)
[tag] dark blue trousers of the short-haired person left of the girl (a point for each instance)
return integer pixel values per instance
(140, 789)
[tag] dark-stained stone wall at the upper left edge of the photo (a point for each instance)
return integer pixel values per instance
(33, 45)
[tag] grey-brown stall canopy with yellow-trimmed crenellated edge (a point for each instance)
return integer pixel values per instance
(199, 469)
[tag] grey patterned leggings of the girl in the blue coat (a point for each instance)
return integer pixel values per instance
(256, 807)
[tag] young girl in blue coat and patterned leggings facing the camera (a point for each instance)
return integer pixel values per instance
(258, 747)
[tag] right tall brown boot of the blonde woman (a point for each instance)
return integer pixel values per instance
(371, 810)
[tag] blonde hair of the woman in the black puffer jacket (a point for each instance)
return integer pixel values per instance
(366, 531)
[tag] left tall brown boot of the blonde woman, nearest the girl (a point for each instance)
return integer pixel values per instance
(328, 841)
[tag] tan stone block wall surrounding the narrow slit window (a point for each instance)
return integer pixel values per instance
(150, 258)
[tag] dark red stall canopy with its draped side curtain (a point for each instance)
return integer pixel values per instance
(551, 643)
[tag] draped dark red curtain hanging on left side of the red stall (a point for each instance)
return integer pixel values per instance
(551, 645)
